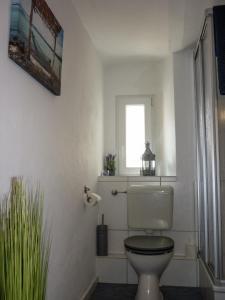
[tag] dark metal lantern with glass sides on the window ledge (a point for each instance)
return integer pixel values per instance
(148, 162)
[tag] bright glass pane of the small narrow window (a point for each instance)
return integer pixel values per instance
(135, 135)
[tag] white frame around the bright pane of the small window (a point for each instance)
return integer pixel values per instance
(121, 102)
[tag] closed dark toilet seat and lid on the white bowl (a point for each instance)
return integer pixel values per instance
(149, 245)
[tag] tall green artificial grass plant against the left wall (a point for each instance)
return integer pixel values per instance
(24, 248)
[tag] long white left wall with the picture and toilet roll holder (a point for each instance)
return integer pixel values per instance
(58, 142)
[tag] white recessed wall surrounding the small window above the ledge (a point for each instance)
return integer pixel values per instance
(143, 78)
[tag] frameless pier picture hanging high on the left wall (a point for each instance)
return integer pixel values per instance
(36, 42)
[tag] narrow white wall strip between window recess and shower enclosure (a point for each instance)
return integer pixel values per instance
(185, 139)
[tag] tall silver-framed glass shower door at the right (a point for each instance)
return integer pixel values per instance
(210, 149)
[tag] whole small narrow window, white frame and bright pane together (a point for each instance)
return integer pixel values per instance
(133, 130)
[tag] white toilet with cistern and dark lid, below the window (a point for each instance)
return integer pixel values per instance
(149, 208)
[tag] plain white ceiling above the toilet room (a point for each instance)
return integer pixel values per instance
(122, 29)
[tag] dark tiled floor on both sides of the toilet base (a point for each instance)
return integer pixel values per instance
(107, 291)
